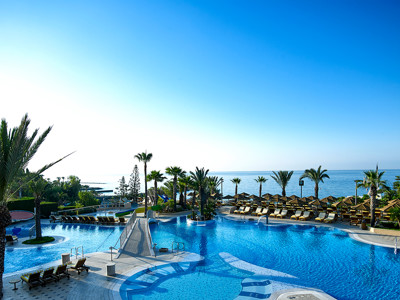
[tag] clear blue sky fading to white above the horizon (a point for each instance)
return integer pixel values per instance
(228, 85)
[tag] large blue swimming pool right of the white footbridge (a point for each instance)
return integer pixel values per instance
(318, 257)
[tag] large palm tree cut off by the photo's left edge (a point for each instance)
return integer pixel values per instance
(16, 151)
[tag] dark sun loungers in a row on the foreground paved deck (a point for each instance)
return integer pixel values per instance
(42, 277)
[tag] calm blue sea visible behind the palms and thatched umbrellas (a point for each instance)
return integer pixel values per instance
(340, 184)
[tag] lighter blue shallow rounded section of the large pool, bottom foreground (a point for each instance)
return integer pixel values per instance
(209, 279)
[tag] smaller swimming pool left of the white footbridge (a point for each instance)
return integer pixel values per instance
(93, 239)
